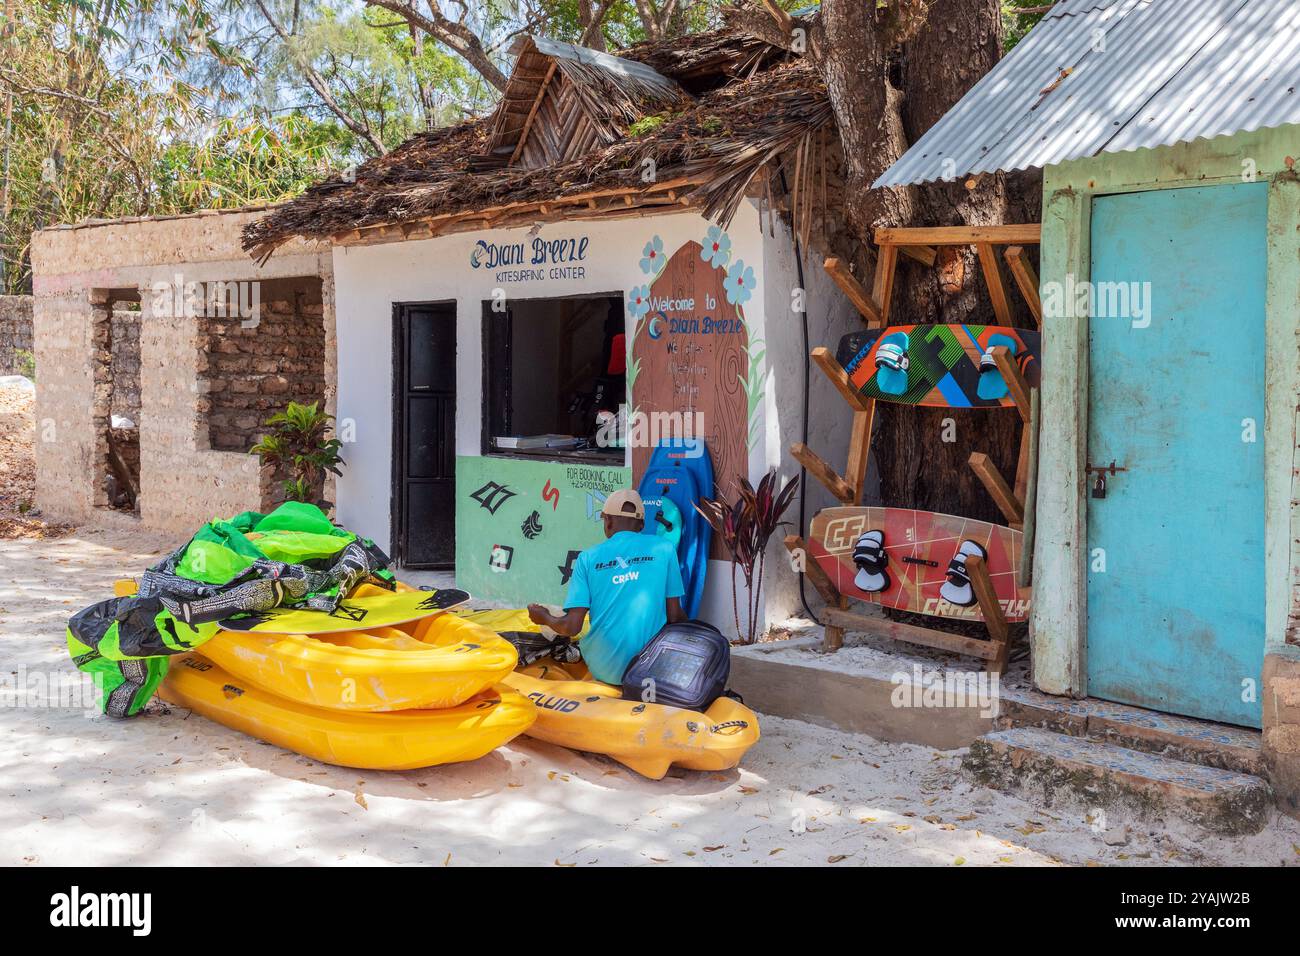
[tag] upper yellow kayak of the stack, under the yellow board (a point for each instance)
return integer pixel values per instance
(436, 663)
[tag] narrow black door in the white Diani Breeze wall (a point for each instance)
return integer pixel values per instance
(426, 468)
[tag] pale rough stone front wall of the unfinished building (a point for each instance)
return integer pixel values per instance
(183, 481)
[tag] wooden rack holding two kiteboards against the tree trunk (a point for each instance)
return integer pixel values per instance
(1012, 500)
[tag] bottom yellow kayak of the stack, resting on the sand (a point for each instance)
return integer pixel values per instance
(400, 741)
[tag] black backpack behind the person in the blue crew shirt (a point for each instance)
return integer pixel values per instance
(686, 665)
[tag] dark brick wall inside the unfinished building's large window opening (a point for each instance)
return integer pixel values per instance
(250, 374)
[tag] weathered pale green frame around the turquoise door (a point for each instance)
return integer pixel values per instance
(1059, 628)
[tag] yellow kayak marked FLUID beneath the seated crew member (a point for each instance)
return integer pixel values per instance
(648, 738)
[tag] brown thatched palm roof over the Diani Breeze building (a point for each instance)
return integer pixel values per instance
(705, 150)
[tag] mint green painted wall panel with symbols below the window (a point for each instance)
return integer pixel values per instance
(522, 524)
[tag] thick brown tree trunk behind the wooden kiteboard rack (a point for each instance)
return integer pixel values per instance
(889, 84)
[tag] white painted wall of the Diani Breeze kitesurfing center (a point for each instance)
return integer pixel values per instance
(369, 280)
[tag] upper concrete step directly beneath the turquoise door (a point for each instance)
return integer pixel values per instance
(1181, 738)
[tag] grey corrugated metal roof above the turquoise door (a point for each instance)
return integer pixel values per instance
(1107, 76)
